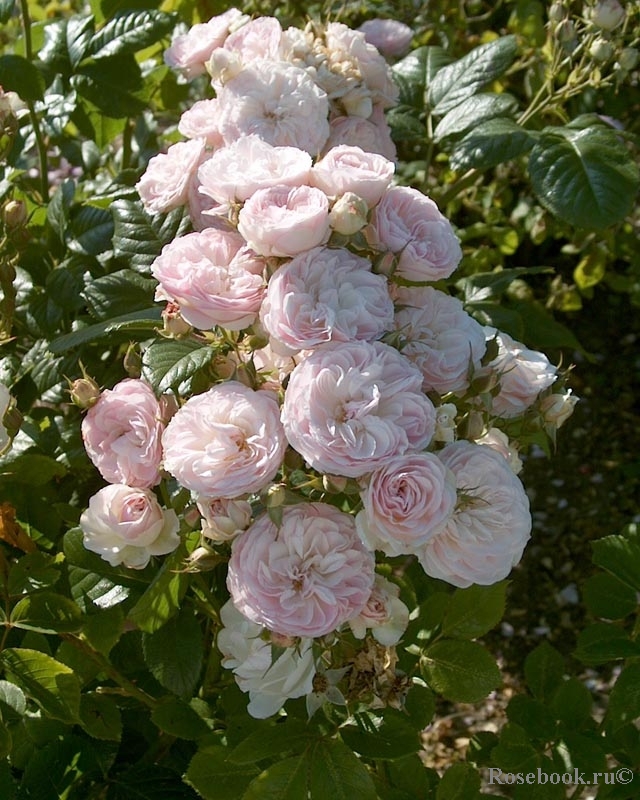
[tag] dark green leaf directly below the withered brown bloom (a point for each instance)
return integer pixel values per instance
(389, 737)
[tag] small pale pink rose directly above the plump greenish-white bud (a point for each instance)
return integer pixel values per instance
(349, 169)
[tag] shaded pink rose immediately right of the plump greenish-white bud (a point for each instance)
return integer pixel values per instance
(408, 223)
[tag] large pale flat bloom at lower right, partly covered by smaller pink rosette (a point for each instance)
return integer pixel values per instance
(487, 534)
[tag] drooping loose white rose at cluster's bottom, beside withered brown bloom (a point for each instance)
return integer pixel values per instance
(269, 683)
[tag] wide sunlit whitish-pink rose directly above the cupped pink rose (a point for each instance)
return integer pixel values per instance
(237, 171)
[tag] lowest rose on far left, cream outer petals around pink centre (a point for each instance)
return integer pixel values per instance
(126, 525)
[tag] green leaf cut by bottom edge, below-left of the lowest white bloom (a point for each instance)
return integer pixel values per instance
(216, 778)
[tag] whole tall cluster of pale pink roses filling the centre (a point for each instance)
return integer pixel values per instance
(359, 410)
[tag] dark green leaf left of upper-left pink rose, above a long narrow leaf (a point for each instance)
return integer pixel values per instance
(121, 291)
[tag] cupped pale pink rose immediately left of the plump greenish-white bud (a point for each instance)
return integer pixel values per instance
(284, 220)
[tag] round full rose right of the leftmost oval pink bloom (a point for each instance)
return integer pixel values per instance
(226, 442)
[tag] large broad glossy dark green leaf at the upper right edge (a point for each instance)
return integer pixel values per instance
(585, 177)
